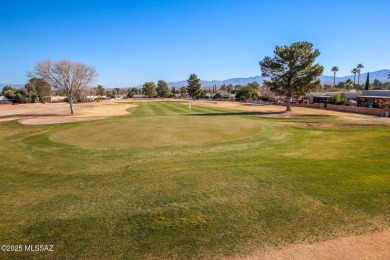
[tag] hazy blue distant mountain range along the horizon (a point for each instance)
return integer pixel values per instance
(382, 75)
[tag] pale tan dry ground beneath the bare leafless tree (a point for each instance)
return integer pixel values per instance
(55, 113)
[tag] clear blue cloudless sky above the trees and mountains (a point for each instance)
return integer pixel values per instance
(130, 42)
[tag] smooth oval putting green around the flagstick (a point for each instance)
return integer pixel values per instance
(158, 131)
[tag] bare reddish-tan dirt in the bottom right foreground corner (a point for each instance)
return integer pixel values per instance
(369, 246)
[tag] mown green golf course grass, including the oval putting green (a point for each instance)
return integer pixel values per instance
(146, 185)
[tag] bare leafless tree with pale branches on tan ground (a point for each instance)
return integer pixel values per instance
(66, 76)
